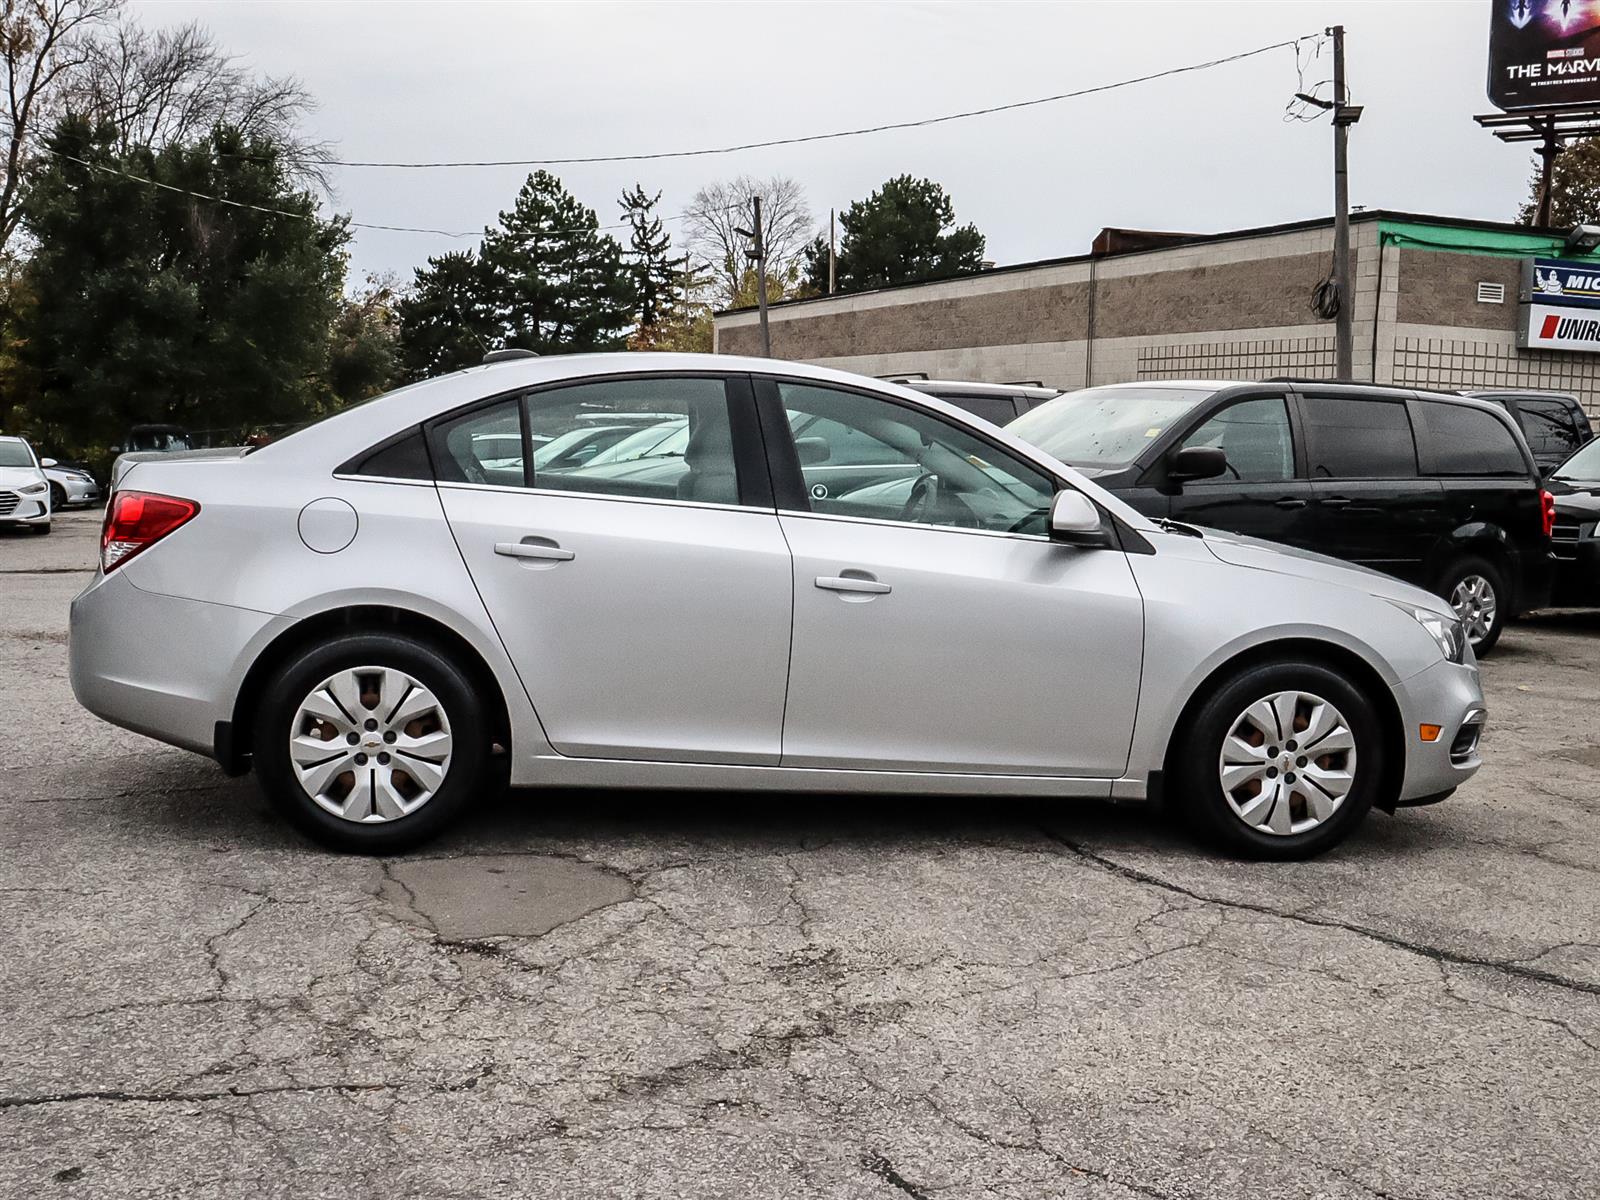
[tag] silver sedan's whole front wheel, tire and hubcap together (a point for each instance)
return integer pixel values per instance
(1282, 761)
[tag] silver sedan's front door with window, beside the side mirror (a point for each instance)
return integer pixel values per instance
(937, 628)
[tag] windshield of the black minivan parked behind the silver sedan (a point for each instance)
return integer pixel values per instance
(1105, 426)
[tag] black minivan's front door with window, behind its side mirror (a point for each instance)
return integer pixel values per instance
(1265, 492)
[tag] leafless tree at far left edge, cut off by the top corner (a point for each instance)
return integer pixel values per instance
(42, 42)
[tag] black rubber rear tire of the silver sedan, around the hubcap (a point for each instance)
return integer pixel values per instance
(468, 777)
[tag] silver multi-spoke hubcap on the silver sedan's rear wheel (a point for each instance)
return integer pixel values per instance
(370, 745)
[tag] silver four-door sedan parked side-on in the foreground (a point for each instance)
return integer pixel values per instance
(388, 615)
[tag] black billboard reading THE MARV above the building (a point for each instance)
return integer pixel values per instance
(1545, 52)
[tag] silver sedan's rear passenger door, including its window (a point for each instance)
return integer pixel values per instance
(644, 596)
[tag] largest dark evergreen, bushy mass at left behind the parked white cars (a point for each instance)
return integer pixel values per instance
(156, 305)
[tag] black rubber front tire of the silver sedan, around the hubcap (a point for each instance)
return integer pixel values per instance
(1194, 767)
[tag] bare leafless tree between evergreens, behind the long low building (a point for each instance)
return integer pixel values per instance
(722, 209)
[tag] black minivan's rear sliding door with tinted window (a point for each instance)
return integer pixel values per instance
(1372, 503)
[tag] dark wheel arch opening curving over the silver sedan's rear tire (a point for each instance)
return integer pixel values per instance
(233, 745)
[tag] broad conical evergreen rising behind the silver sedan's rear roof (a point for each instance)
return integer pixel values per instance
(559, 284)
